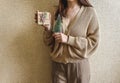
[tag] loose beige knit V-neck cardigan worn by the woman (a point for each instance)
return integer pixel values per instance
(83, 37)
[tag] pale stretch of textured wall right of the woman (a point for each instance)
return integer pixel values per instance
(105, 65)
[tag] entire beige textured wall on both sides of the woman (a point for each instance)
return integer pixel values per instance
(23, 58)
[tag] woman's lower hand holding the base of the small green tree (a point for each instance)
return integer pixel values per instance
(60, 37)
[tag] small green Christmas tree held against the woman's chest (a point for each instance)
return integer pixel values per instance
(58, 26)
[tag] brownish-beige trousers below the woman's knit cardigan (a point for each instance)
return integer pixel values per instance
(71, 72)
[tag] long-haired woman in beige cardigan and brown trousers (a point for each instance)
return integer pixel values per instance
(71, 48)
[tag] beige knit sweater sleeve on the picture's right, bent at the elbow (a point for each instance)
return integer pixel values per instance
(86, 45)
